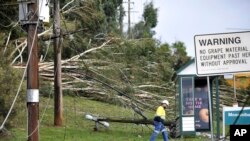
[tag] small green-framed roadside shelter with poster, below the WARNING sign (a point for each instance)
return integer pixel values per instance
(193, 101)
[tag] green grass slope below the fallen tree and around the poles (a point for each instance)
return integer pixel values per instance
(77, 128)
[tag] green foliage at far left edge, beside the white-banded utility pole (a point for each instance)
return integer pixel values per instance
(9, 77)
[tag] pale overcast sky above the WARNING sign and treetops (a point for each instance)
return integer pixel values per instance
(180, 20)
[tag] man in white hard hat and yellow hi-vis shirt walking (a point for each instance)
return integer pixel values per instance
(159, 119)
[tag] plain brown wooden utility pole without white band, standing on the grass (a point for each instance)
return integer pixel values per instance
(58, 115)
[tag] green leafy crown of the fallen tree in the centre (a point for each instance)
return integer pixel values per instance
(129, 63)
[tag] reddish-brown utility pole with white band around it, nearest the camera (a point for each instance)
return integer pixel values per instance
(32, 72)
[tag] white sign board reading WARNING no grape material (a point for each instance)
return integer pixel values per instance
(217, 54)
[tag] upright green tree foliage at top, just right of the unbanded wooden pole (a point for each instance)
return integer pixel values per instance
(96, 18)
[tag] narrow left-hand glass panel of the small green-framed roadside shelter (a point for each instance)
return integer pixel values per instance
(187, 91)
